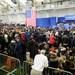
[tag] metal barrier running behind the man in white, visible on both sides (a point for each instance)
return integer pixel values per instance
(47, 71)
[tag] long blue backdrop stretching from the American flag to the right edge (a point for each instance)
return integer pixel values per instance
(51, 22)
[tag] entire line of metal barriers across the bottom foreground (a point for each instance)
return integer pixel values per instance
(12, 66)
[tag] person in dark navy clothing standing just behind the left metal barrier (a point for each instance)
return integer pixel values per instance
(19, 50)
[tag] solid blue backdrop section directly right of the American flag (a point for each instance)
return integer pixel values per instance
(46, 22)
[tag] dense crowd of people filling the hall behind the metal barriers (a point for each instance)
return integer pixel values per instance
(58, 46)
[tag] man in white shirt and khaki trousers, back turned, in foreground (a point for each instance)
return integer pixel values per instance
(40, 61)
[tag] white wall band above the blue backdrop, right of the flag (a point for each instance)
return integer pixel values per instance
(56, 12)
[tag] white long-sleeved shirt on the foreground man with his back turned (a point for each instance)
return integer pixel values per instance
(40, 61)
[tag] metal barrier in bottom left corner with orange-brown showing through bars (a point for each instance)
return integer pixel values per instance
(10, 65)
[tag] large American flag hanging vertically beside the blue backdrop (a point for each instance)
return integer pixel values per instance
(31, 17)
